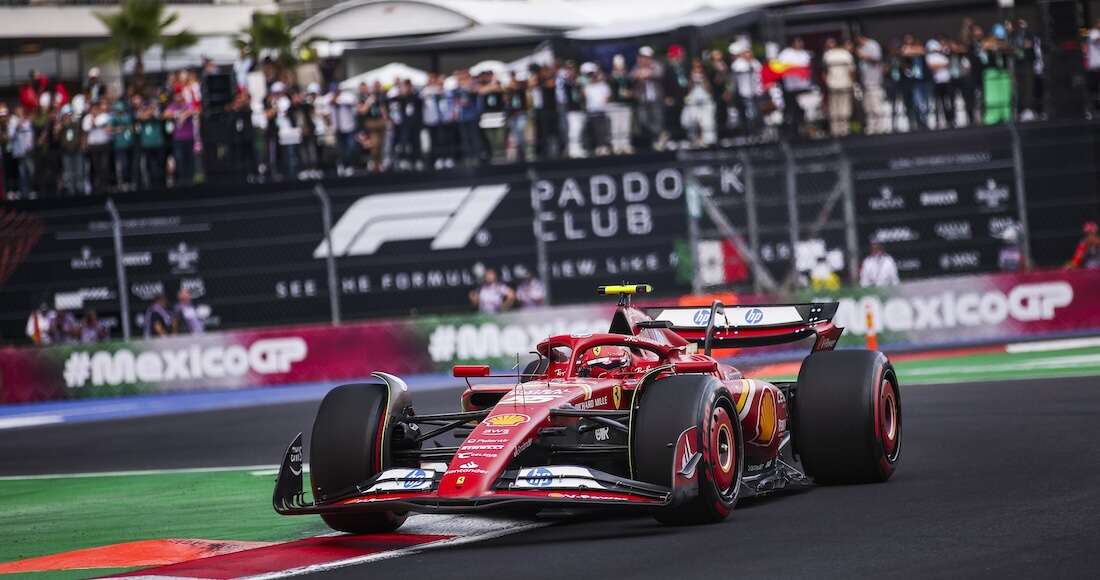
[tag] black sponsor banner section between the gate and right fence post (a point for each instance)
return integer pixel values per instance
(940, 203)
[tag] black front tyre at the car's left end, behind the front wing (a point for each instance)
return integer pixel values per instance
(347, 448)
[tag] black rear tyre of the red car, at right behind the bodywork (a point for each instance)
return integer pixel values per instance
(848, 418)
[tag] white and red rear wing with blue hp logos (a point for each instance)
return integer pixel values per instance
(721, 326)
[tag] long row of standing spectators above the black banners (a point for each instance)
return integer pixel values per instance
(58, 143)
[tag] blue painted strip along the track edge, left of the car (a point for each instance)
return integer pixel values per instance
(91, 410)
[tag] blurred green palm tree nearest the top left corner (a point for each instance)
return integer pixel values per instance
(138, 27)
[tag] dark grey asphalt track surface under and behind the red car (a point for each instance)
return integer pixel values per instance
(997, 480)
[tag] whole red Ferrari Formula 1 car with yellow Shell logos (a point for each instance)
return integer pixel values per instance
(642, 417)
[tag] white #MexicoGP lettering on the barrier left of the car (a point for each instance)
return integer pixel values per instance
(125, 367)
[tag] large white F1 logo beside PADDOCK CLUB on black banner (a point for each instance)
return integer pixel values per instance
(448, 217)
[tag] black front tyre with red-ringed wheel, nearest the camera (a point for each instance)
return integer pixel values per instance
(706, 476)
